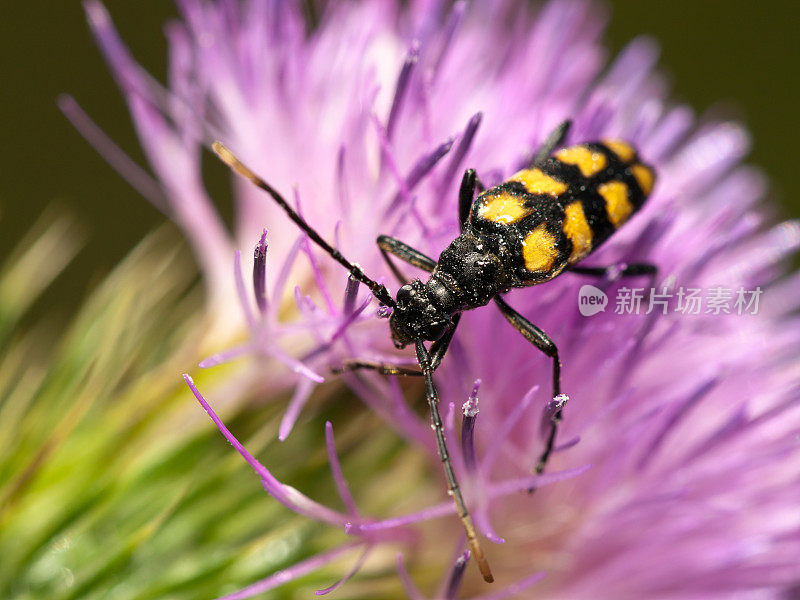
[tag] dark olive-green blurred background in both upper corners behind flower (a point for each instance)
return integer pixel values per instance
(740, 53)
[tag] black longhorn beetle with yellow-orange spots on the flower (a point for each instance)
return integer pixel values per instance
(523, 232)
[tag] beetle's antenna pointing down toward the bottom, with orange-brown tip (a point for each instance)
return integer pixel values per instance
(432, 395)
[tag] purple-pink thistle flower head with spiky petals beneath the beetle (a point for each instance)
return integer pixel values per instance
(690, 421)
